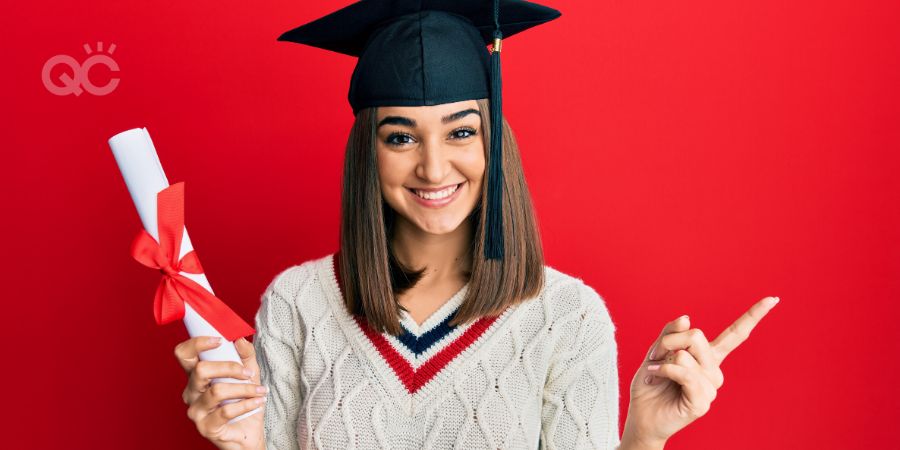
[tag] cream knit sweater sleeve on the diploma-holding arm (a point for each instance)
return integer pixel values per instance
(278, 344)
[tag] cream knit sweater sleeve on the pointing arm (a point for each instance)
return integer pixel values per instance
(581, 395)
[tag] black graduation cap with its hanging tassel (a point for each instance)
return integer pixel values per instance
(429, 52)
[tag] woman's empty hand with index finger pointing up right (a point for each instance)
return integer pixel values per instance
(680, 377)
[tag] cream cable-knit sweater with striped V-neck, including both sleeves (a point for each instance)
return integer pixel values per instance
(543, 374)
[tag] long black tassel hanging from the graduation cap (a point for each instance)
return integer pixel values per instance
(494, 228)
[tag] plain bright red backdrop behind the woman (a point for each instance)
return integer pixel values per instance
(684, 157)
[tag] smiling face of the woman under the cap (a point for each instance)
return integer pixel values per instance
(431, 162)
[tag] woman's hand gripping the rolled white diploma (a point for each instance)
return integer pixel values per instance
(204, 399)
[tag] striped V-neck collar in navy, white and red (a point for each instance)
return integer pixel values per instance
(426, 363)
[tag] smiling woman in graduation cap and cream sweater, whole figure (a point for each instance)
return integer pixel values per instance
(422, 332)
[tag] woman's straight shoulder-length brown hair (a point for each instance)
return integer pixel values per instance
(371, 275)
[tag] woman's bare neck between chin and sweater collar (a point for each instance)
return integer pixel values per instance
(445, 256)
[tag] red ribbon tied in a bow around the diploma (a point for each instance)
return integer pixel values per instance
(176, 289)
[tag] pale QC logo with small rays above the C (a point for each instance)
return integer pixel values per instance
(80, 80)
